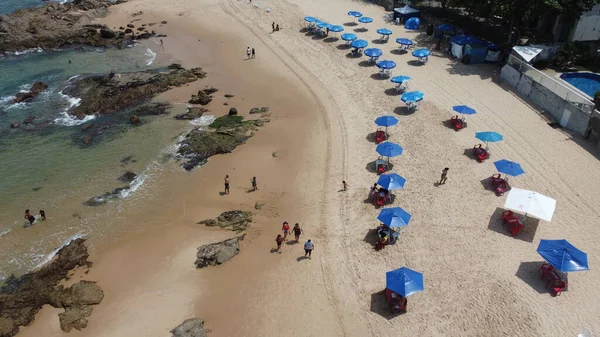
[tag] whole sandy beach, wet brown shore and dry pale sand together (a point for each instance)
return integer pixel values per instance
(479, 281)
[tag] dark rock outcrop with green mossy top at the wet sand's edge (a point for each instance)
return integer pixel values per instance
(224, 134)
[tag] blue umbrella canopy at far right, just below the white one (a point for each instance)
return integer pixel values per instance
(563, 256)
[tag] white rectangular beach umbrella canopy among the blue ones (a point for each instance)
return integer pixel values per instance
(531, 203)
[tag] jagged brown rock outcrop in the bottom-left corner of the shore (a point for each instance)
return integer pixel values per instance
(21, 298)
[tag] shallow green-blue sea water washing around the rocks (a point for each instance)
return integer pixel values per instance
(48, 167)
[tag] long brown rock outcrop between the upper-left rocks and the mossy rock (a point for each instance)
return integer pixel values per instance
(111, 93)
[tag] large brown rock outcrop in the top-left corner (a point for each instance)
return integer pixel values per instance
(57, 25)
